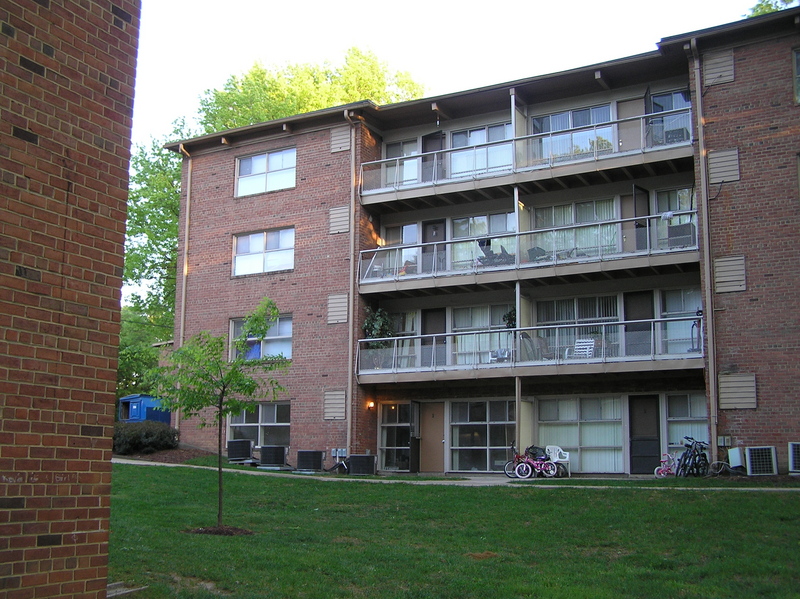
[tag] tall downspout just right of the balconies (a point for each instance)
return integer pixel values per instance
(708, 291)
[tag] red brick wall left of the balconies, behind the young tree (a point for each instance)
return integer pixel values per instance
(322, 264)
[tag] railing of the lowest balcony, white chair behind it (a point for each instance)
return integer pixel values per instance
(509, 352)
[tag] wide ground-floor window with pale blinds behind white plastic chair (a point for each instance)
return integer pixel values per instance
(591, 427)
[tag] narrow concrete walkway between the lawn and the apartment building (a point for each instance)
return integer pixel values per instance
(465, 480)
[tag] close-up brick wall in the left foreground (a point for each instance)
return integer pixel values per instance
(66, 103)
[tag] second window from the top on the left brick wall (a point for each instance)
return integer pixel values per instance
(267, 251)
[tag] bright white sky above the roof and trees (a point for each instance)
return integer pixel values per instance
(189, 46)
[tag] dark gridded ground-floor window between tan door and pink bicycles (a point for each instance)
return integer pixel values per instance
(480, 434)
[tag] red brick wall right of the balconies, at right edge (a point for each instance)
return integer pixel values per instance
(758, 330)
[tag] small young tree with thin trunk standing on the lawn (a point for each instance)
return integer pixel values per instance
(198, 378)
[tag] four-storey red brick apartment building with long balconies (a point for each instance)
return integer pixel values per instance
(602, 259)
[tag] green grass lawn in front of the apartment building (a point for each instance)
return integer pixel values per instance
(327, 539)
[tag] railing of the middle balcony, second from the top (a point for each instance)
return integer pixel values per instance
(595, 242)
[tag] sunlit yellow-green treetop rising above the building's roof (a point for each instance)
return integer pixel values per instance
(263, 94)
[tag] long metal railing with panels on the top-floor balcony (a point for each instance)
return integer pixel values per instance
(534, 152)
